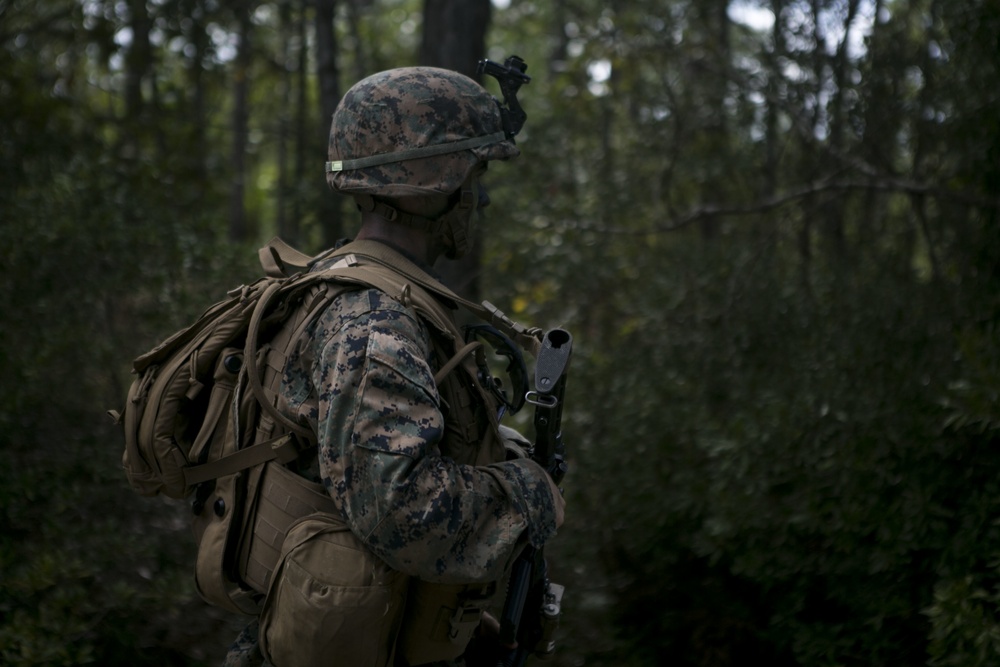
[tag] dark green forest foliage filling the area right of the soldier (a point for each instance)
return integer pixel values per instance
(784, 424)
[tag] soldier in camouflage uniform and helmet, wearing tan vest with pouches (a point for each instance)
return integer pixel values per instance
(431, 506)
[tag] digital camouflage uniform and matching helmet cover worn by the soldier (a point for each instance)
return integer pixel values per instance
(362, 376)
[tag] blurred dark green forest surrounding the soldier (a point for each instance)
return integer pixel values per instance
(771, 225)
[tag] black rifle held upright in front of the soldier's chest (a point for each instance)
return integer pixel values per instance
(530, 589)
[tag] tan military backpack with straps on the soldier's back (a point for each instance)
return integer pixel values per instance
(200, 424)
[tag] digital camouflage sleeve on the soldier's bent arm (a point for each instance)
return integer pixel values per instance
(379, 423)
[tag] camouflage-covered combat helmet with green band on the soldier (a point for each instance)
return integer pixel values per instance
(413, 131)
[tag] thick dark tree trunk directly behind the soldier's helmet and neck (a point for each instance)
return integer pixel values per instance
(454, 38)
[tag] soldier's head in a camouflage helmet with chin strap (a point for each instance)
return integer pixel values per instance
(410, 145)
